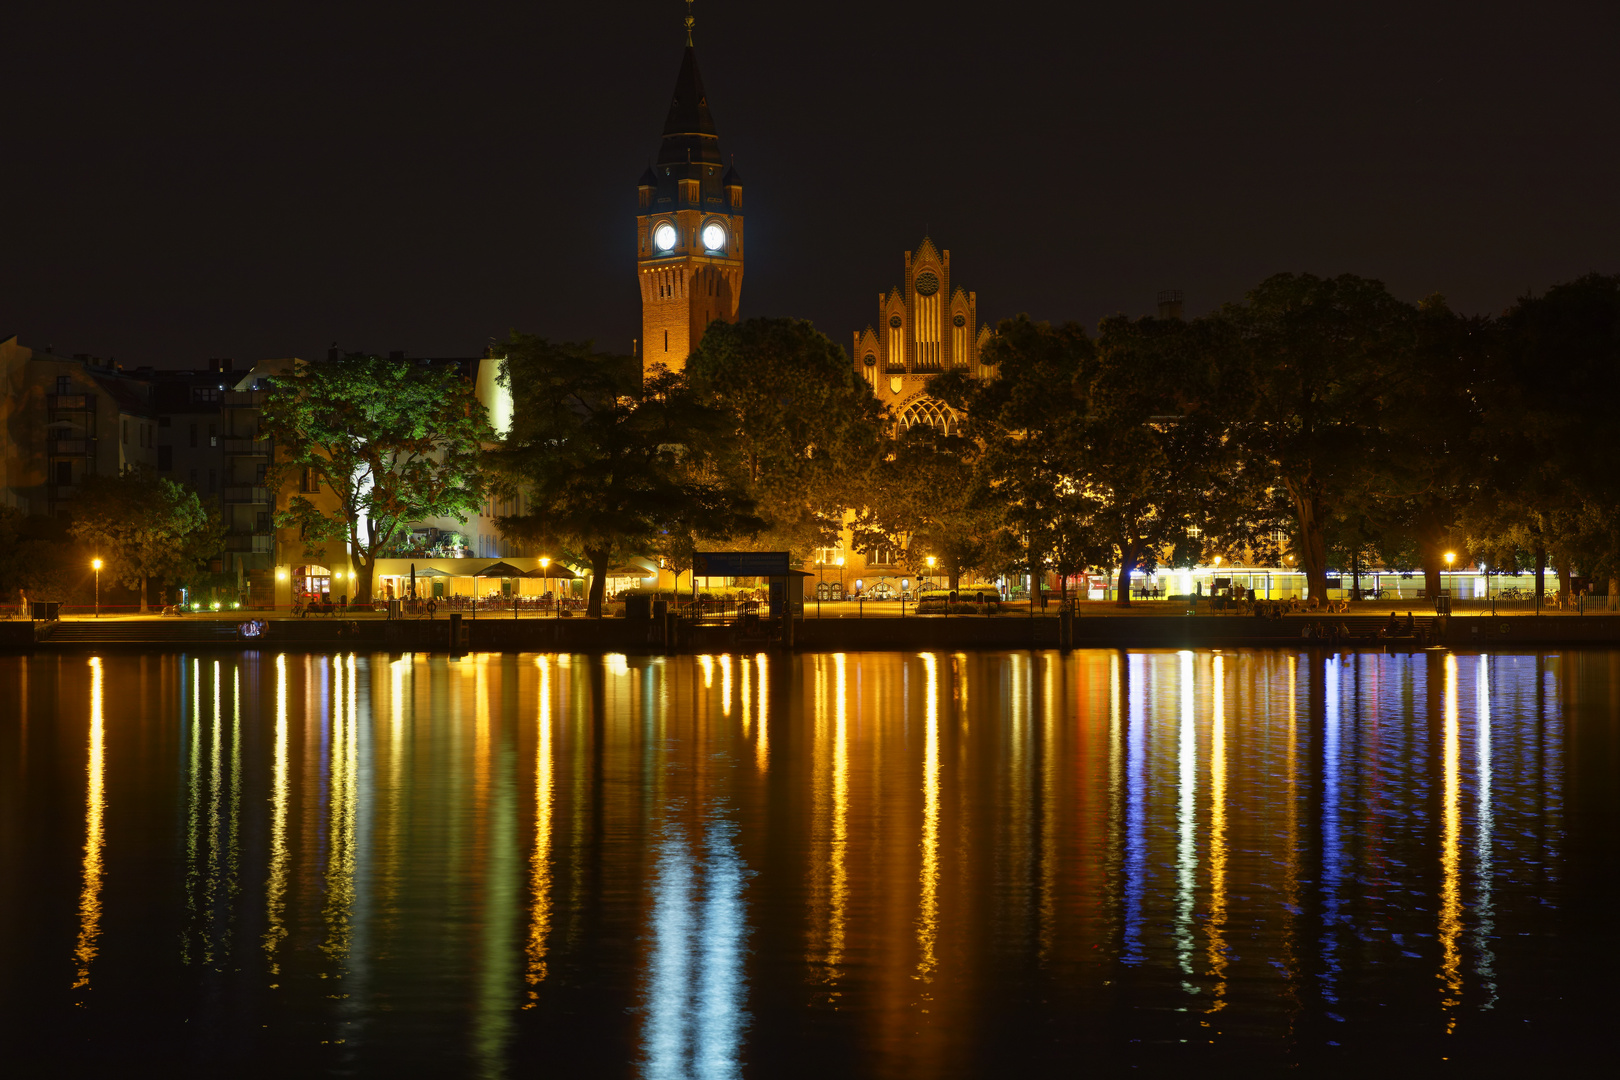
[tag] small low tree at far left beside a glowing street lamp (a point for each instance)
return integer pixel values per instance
(145, 527)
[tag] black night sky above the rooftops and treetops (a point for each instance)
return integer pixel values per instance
(189, 181)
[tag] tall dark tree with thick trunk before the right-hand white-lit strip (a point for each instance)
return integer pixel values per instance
(1323, 359)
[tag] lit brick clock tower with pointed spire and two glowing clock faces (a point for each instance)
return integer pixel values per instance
(688, 229)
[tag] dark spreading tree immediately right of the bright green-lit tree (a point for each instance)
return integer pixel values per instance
(610, 467)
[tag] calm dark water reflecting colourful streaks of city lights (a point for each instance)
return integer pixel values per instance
(817, 865)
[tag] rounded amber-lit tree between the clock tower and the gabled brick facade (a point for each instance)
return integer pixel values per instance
(806, 430)
